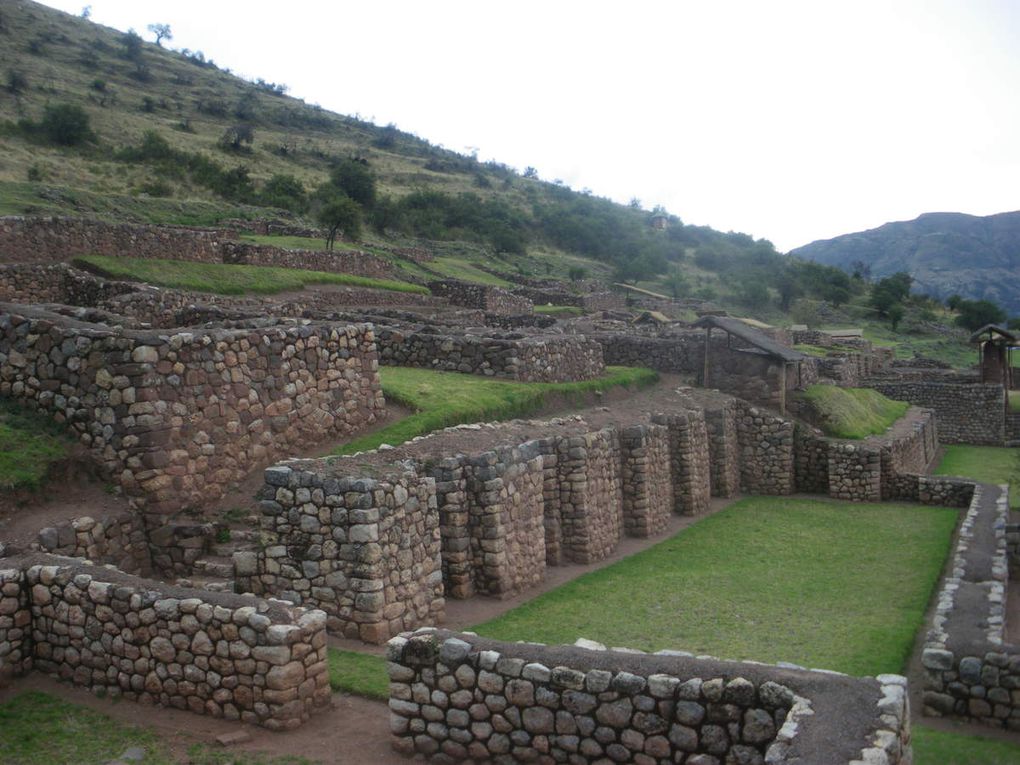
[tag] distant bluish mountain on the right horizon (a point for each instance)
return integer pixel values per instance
(946, 253)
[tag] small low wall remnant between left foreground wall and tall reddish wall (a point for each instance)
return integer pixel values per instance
(117, 540)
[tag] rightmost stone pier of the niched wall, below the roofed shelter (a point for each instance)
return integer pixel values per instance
(767, 444)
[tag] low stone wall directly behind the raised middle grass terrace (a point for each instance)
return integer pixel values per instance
(548, 359)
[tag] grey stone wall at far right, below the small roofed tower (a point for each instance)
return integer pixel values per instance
(966, 414)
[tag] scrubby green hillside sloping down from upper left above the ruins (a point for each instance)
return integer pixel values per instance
(165, 122)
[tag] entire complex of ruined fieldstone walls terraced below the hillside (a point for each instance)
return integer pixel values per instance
(178, 397)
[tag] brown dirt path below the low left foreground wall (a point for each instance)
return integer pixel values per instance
(355, 731)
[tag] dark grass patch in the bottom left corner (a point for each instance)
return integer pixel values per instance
(37, 729)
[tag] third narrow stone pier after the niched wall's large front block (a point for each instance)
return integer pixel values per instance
(647, 480)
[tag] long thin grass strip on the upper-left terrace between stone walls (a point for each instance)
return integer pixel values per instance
(224, 279)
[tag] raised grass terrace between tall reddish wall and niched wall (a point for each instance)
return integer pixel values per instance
(445, 399)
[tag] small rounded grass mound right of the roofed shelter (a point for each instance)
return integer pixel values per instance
(853, 413)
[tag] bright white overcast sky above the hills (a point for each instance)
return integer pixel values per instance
(788, 121)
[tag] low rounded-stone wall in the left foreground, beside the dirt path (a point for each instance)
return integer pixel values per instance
(217, 654)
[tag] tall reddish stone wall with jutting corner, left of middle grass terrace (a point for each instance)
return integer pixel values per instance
(176, 419)
